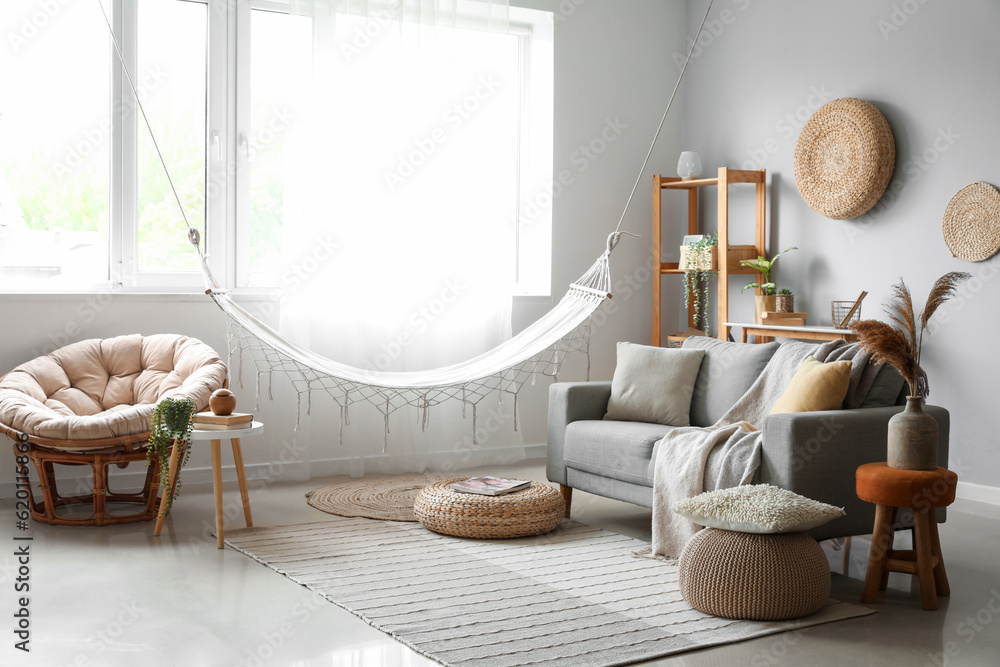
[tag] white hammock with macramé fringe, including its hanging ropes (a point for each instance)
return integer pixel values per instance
(537, 350)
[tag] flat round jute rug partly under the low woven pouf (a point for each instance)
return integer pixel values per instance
(387, 498)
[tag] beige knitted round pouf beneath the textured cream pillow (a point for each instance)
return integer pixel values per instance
(754, 577)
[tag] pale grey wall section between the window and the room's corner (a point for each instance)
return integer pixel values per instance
(611, 62)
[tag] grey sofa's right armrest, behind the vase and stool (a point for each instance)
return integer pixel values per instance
(816, 454)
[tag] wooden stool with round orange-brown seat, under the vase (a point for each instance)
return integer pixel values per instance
(923, 491)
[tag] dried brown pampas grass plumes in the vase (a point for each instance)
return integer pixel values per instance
(899, 344)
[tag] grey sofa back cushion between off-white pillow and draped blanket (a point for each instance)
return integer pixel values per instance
(727, 371)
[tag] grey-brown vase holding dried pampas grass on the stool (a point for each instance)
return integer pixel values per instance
(912, 441)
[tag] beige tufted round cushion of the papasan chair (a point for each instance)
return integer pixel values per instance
(107, 388)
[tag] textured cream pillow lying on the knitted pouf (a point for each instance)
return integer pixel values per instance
(756, 508)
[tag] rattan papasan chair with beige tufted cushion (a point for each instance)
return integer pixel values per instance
(90, 403)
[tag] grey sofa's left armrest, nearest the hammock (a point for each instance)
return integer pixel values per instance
(570, 402)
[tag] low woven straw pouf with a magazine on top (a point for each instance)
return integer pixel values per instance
(532, 511)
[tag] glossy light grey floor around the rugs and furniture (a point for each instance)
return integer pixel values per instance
(118, 596)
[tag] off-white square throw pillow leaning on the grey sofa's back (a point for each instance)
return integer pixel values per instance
(654, 384)
